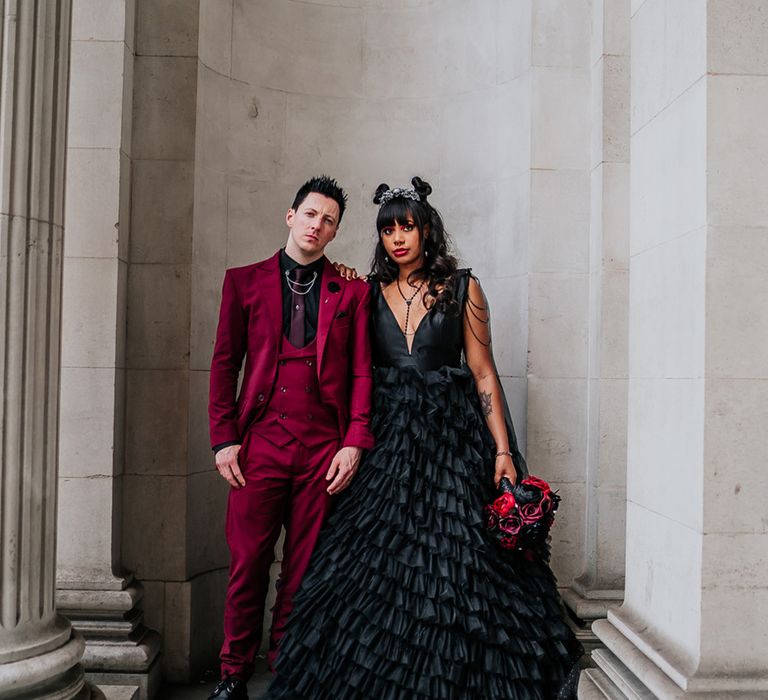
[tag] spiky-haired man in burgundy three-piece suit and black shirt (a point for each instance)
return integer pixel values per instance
(294, 435)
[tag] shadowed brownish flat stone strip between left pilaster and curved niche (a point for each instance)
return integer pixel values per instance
(158, 532)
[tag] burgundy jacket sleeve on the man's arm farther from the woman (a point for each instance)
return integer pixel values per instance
(228, 353)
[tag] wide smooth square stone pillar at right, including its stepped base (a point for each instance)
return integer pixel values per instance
(693, 621)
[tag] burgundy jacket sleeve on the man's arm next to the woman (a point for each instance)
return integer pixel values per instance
(361, 380)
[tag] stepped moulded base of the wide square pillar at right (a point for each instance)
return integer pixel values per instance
(632, 666)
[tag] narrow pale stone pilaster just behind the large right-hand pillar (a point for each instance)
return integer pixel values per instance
(601, 582)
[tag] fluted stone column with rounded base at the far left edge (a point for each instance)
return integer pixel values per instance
(39, 652)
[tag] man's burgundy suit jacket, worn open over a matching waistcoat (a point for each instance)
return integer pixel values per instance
(251, 326)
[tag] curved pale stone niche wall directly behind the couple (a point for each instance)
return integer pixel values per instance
(366, 92)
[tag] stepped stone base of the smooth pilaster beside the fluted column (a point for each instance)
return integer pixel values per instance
(121, 653)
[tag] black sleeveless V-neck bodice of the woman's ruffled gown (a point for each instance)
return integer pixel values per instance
(439, 338)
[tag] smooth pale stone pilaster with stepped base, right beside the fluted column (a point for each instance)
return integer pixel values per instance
(103, 600)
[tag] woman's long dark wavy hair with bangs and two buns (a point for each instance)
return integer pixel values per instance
(439, 264)
